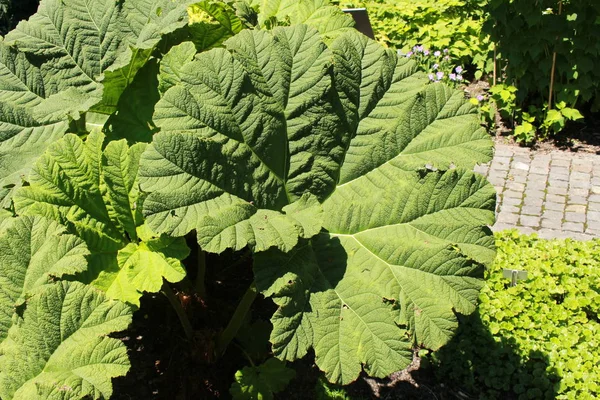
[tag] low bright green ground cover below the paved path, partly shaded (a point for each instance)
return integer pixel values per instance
(548, 325)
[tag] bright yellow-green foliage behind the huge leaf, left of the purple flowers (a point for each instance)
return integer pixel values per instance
(452, 24)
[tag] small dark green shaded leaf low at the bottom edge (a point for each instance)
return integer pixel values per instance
(261, 382)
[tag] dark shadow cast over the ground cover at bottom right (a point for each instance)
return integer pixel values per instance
(477, 365)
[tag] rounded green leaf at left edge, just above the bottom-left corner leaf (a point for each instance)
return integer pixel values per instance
(34, 250)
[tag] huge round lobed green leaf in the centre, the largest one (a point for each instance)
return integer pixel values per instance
(277, 115)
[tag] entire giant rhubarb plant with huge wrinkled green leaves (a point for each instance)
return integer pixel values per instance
(342, 169)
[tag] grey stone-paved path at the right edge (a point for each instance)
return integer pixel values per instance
(555, 194)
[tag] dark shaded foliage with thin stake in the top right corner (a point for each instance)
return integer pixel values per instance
(527, 34)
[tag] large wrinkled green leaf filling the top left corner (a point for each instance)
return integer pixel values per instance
(72, 55)
